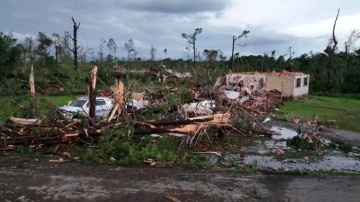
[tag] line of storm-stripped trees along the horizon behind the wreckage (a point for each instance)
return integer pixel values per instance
(61, 60)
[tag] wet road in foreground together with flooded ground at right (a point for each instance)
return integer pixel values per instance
(328, 175)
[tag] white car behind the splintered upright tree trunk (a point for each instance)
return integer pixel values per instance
(80, 106)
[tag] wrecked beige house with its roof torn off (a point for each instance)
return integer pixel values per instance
(289, 84)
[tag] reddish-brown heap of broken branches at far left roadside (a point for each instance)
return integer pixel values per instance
(37, 134)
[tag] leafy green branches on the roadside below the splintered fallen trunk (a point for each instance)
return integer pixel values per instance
(121, 146)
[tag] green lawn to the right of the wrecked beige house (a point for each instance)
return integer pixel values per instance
(345, 111)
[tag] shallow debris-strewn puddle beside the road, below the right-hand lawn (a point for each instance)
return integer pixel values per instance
(260, 153)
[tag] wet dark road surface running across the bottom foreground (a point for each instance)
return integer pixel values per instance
(34, 178)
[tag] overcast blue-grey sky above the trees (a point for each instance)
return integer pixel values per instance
(304, 25)
